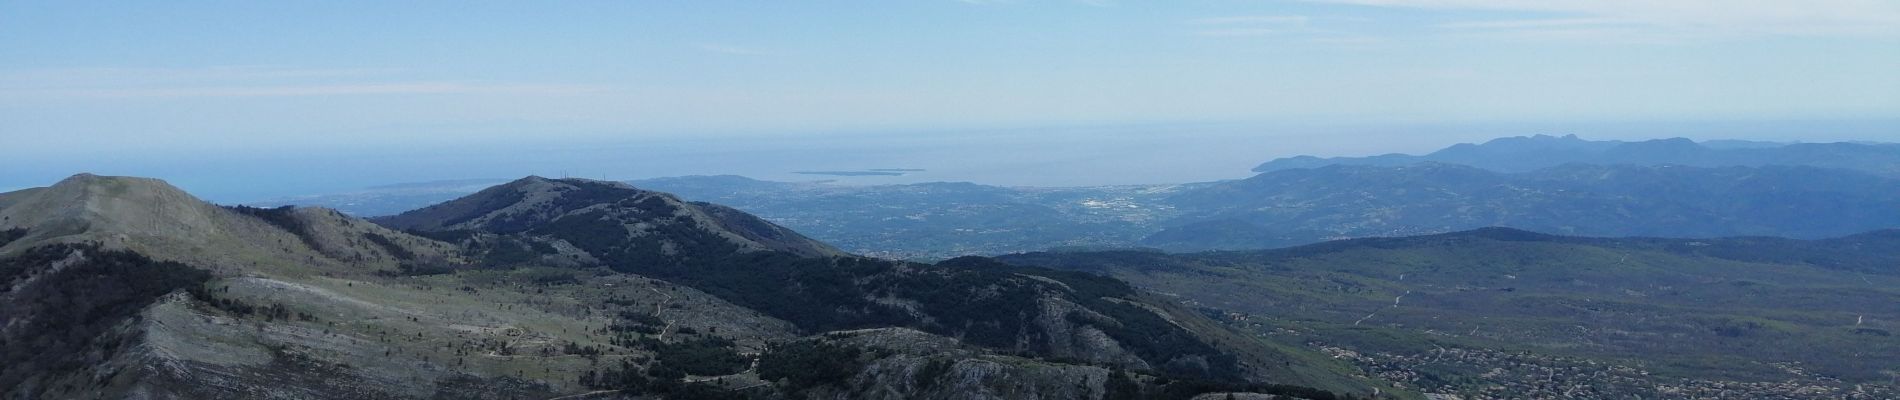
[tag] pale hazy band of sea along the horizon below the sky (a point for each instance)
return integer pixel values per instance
(1029, 156)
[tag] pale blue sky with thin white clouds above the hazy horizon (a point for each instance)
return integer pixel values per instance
(126, 86)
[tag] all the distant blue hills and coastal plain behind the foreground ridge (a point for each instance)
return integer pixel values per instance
(1561, 185)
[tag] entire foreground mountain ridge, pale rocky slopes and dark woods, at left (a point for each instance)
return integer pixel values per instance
(541, 289)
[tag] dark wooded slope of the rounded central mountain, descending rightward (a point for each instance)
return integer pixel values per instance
(1057, 316)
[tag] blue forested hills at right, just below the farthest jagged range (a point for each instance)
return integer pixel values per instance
(1340, 202)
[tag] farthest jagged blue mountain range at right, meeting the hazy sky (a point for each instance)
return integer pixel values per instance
(1523, 155)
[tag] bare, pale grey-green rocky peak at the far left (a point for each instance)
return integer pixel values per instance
(161, 221)
